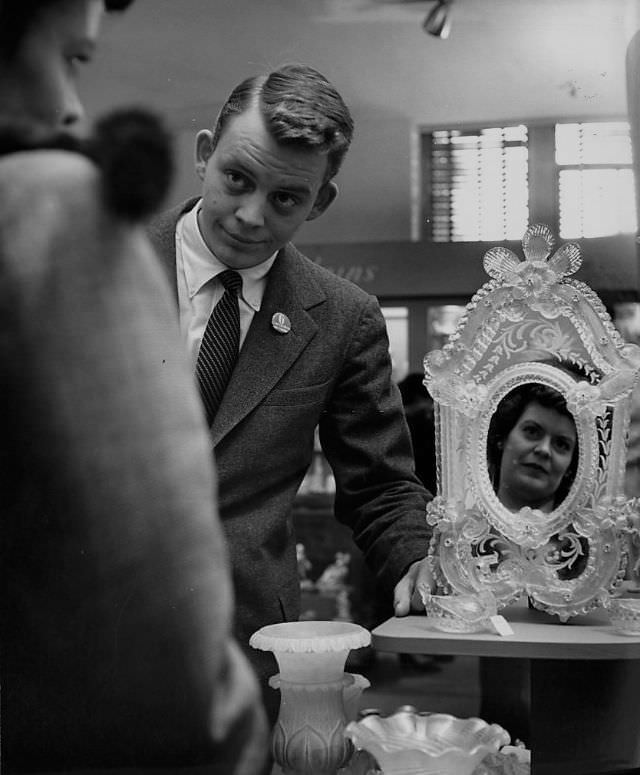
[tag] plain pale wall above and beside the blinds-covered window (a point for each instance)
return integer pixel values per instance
(505, 60)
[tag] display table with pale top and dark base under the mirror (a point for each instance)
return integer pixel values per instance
(570, 691)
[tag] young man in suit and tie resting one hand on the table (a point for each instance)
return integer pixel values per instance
(313, 349)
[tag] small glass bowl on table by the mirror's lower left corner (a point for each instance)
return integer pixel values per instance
(460, 613)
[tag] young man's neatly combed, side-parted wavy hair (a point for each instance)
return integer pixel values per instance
(300, 107)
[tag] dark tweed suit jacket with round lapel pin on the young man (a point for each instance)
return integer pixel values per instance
(331, 370)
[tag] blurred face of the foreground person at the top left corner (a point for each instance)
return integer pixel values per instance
(39, 83)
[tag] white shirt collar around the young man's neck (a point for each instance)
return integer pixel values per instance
(201, 265)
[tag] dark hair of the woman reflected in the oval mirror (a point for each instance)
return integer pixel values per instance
(507, 414)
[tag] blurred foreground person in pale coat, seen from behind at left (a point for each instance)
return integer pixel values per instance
(116, 592)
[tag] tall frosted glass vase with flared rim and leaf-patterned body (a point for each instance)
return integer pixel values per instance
(309, 735)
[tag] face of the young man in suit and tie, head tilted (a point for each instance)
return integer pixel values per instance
(256, 193)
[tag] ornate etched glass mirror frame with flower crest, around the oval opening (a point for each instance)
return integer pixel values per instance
(533, 323)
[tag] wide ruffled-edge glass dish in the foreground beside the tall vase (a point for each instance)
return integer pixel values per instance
(412, 743)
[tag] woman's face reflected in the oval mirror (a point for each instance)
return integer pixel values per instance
(536, 455)
